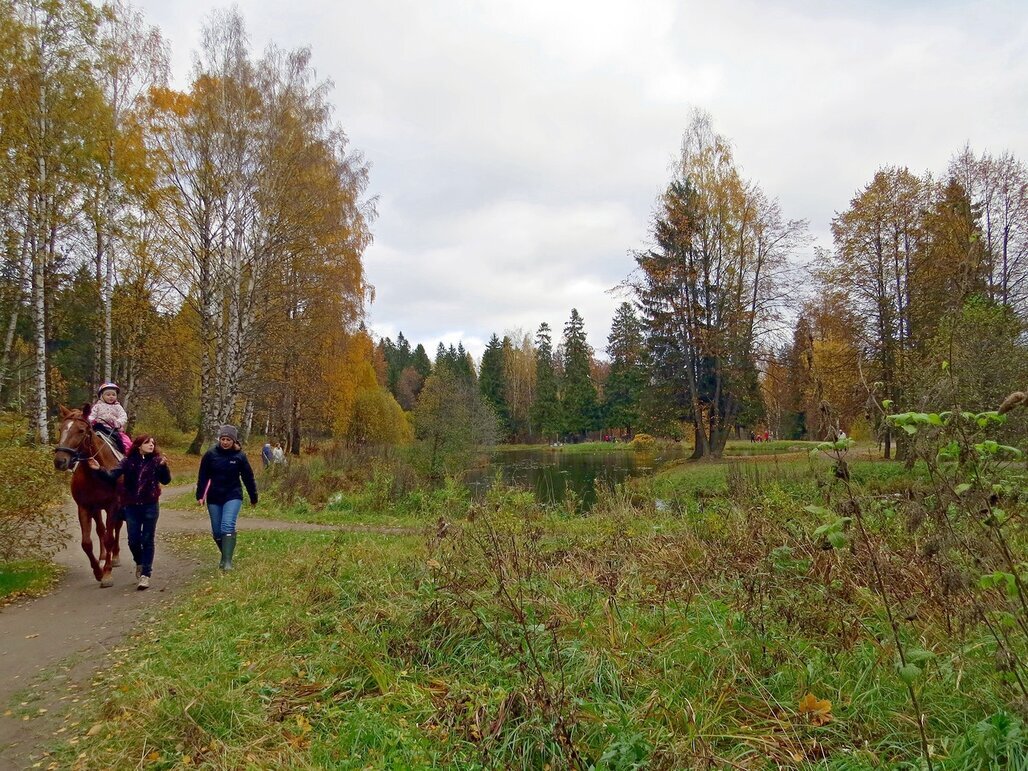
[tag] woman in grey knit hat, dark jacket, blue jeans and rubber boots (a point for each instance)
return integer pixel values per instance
(224, 472)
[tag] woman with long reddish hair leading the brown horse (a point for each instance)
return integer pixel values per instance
(144, 470)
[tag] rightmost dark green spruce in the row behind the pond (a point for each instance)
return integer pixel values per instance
(628, 378)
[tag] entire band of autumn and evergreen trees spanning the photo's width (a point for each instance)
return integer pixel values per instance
(205, 249)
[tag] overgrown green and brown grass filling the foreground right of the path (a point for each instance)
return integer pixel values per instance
(739, 627)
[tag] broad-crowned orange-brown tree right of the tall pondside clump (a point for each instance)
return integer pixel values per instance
(909, 255)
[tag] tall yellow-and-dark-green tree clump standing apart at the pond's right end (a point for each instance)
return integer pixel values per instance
(712, 288)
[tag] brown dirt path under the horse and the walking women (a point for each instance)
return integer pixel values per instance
(51, 648)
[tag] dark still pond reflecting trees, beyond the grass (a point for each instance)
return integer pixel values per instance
(554, 474)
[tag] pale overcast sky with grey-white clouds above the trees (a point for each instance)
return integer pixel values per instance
(518, 148)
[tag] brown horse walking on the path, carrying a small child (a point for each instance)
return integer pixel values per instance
(93, 493)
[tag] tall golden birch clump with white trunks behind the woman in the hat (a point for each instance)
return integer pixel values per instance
(267, 227)
